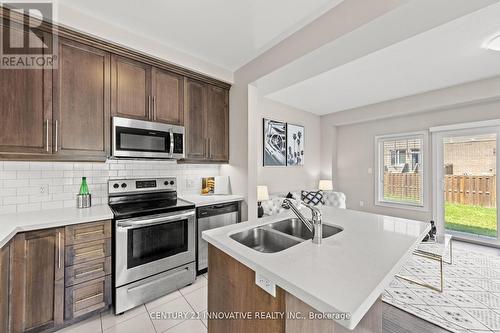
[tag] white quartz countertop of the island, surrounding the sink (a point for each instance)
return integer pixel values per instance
(347, 273)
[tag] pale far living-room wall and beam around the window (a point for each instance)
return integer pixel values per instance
(350, 150)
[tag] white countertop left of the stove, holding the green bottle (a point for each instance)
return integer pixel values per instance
(10, 224)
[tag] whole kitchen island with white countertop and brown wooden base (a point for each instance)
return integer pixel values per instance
(333, 287)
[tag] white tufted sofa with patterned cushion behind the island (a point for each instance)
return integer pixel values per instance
(274, 205)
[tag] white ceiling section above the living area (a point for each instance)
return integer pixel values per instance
(447, 55)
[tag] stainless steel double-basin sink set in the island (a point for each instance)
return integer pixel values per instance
(281, 235)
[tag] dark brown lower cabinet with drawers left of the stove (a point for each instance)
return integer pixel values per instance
(53, 284)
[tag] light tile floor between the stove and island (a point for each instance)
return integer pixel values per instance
(192, 298)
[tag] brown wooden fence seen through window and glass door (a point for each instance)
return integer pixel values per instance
(467, 190)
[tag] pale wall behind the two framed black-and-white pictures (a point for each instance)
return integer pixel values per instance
(284, 179)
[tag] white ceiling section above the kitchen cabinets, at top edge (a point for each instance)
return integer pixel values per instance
(222, 32)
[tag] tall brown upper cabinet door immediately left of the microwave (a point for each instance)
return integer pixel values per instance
(82, 102)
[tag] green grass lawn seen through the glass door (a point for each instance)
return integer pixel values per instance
(471, 219)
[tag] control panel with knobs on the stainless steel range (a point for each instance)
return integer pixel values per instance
(141, 185)
